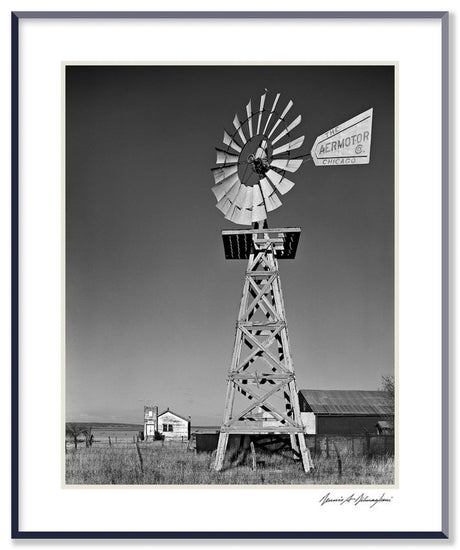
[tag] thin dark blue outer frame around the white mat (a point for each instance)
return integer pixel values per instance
(15, 532)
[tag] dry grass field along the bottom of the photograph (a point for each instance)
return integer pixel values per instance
(174, 463)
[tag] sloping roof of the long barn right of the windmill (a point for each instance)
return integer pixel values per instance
(348, 402)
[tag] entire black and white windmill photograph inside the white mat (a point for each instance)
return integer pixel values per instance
(230, 275)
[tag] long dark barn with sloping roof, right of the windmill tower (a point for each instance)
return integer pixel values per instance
(345, 411)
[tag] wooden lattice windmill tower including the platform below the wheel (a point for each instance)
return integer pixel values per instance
(261, 370)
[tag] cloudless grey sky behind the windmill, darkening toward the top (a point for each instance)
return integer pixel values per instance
(151, 302)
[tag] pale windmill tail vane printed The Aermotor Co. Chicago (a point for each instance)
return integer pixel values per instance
(349, 143)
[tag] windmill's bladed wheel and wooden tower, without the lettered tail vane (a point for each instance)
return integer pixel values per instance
(252, 171)
